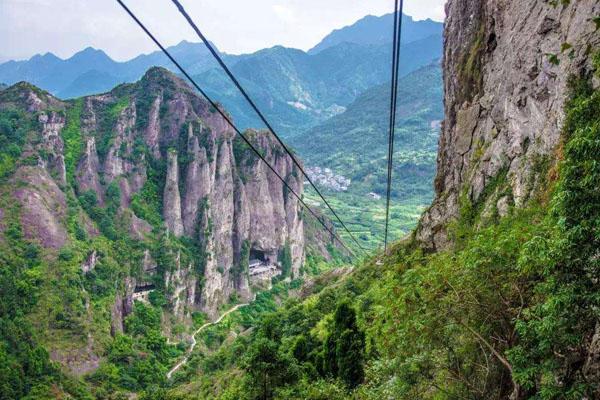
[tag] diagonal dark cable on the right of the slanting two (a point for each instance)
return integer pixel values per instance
(260, 114)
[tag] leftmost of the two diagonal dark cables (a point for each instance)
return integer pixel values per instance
(230, 122)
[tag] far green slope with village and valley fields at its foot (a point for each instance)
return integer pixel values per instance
(354, 145)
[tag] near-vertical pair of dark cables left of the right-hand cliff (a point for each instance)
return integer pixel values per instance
(398, 8)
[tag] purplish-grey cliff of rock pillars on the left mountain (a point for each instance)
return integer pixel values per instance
(155, 165)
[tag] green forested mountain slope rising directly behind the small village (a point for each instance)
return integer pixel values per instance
(355, 143)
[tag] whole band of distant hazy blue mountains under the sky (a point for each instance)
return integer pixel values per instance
(295, 89)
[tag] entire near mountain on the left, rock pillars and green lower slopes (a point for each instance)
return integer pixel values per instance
(139, 200)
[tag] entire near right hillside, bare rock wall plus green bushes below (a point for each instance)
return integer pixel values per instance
(490, 298)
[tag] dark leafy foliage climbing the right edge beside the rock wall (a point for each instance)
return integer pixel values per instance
(565, 312)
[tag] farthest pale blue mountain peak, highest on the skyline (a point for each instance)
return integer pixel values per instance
(372, 30)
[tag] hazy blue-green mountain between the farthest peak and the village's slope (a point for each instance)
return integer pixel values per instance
(297, 90)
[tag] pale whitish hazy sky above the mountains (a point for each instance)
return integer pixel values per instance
(64, 27)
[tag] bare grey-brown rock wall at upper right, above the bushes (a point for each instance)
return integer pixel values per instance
(504, 96)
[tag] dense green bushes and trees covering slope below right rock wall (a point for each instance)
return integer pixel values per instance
(509, 309)
